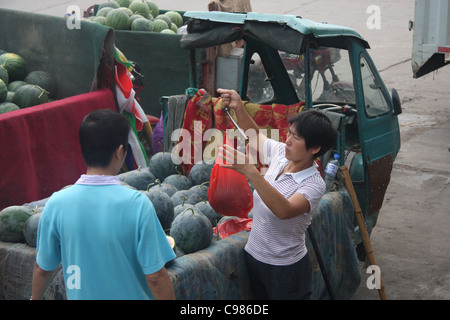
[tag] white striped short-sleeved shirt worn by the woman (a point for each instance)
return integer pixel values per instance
(282, 241)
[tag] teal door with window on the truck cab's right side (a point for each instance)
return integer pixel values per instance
(378, 128)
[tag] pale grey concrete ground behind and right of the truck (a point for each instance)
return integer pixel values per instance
(410, 240)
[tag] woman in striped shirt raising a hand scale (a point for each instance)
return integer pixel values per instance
(284, 199)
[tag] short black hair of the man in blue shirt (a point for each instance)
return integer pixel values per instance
(101, 133)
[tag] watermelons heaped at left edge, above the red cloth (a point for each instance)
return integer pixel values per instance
(20, 88)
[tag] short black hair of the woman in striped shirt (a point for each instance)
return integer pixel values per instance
(316, 128)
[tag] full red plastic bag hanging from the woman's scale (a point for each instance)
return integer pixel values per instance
(229, 192)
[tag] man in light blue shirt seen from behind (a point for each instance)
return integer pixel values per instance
(107, 236)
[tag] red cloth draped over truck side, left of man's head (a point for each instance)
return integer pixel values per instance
(40, 152)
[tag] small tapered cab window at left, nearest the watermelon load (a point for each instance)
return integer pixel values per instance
(259, 89)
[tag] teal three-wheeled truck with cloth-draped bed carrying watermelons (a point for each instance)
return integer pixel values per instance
(289, 63)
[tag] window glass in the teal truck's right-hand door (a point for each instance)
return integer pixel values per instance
(375, 103)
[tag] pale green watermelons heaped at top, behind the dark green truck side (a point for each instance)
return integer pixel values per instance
(137, 15)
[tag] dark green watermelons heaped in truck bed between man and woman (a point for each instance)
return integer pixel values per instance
(181, 204)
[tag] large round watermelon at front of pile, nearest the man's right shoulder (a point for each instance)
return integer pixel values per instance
(192, 231)
